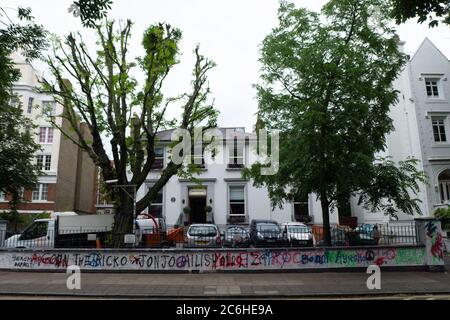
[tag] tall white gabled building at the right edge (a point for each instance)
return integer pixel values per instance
(424, 93)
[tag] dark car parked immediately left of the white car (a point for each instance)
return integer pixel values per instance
(266, 233)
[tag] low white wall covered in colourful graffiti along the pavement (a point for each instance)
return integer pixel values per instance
(205, 260)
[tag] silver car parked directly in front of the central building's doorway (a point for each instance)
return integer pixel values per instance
(203, 236)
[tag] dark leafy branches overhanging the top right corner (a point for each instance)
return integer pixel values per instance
(433, 10)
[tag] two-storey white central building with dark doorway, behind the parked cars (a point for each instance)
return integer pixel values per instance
(223, 196)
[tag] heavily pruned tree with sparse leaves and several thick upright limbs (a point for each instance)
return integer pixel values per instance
(109, 100)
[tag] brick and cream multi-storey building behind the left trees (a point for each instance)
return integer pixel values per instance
(69, 183)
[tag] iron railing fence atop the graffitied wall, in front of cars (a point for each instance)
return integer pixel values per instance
(212, 236)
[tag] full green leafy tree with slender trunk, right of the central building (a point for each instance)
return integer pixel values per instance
(327, 86)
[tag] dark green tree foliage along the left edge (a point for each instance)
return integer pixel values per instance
(18, 170)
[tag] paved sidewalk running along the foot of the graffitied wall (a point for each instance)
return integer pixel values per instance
(227, 285)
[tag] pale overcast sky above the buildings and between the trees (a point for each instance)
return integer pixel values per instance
(228, 31)
